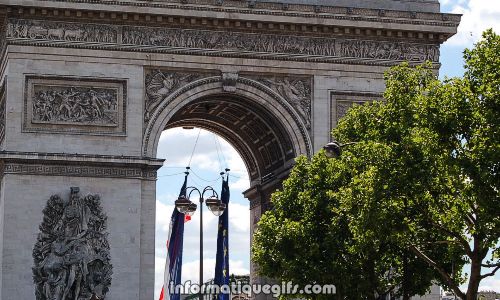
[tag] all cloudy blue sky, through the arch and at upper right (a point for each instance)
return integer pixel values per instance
(177, 144)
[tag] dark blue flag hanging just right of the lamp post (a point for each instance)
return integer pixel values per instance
(222, 260)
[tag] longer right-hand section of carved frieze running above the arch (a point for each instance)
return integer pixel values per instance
(273, 43)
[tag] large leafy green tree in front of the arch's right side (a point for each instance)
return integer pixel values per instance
(412, 201)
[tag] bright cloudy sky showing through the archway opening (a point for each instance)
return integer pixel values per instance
(212, 155)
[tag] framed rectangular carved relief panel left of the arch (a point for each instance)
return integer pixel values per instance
(75, 105)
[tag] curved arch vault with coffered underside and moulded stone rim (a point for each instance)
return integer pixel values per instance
(266, 131)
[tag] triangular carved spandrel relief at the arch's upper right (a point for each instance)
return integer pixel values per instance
(297, 91)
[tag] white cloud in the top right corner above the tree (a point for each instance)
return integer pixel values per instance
(478, 15)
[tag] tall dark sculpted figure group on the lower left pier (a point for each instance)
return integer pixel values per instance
(71, 255)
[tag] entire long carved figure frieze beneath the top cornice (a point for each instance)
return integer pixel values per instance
(218, 43)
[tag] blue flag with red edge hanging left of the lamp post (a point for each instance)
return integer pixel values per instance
(173, 266)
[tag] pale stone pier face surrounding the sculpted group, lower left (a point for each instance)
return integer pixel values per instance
(126, 187)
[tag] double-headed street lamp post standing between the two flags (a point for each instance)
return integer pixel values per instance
(184, 205)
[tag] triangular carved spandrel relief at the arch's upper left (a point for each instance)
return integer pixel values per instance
(161, 83)
